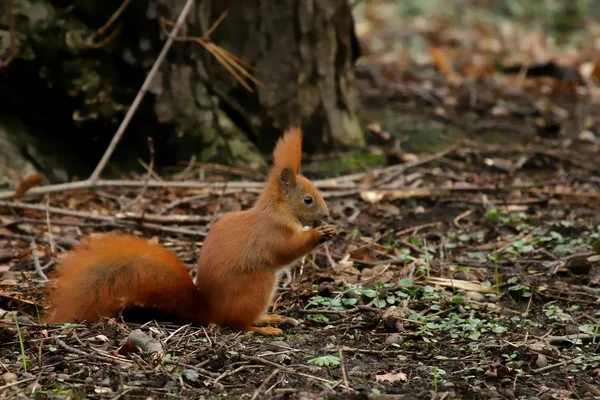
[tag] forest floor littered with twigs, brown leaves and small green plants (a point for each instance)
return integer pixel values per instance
(471, 271)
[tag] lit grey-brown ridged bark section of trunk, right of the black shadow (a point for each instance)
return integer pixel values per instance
(303, 51)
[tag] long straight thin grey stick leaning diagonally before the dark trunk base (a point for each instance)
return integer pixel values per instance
(138, 99)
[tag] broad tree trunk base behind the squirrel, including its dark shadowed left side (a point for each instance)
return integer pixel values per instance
(72, 81)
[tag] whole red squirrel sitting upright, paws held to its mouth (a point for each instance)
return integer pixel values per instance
(236, 276)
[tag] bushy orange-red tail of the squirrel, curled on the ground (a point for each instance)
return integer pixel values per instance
(105, 275)
